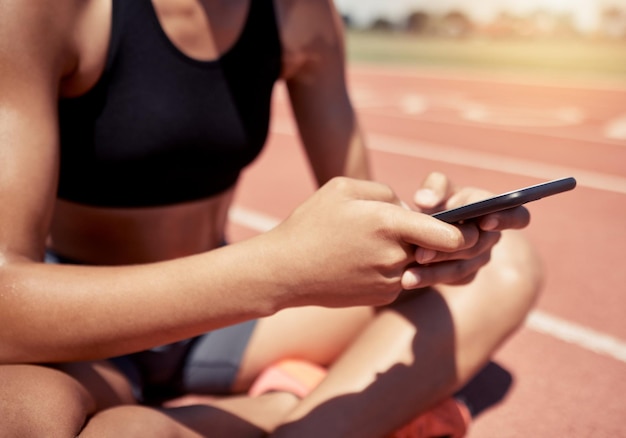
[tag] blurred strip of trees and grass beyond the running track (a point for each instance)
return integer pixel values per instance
(571, 38)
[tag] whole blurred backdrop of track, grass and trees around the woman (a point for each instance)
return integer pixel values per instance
(499, 94)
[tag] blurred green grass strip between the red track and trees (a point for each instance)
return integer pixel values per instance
(574, 59)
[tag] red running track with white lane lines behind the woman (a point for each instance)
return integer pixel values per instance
(567, 366)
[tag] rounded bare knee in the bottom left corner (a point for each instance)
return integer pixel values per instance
(37, 401)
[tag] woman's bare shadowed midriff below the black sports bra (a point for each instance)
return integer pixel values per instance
(117, 236)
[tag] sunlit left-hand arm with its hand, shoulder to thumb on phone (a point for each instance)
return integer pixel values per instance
(63, 312)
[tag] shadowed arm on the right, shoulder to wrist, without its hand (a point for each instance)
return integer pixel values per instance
(315, 73)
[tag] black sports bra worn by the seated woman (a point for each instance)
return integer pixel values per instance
(161, 128)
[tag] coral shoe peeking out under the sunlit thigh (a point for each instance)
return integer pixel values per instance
(295, 376)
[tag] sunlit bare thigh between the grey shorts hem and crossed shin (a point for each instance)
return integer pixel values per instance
(319, 335)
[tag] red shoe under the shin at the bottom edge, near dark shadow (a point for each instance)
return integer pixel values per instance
(451, 418)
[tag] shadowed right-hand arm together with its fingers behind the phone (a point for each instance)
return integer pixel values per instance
(313, 43)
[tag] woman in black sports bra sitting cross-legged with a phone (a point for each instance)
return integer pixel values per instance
(124, 128)
